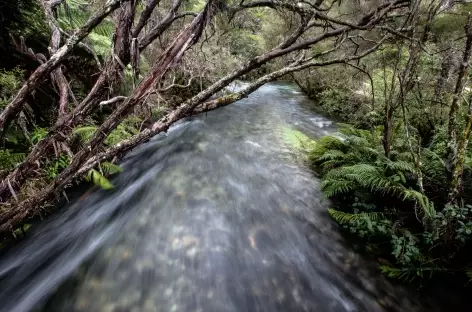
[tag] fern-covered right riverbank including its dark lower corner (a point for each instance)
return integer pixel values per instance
(377, 202)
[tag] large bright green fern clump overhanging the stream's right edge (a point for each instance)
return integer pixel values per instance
(355, 162)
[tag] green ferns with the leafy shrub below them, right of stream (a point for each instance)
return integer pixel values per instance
(378, 193)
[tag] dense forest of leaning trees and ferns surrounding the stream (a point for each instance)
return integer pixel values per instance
(84, 82)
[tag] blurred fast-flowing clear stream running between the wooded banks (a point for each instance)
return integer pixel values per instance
(219, 214)
